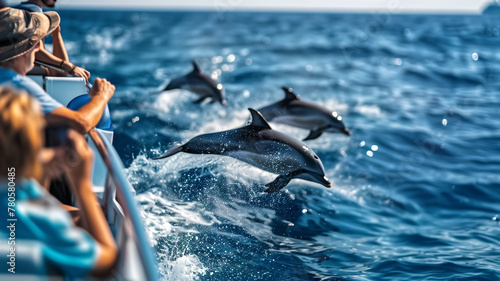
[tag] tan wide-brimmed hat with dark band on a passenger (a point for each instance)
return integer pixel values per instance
(20, 31)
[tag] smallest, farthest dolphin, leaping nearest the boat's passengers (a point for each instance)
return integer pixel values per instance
(200, 84)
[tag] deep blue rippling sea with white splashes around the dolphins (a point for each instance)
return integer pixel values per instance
(416, 187)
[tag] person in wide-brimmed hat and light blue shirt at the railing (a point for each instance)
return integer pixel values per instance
(18, 45)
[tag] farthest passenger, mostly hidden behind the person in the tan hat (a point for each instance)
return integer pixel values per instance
(60, 56)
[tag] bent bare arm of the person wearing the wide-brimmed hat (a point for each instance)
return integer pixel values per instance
(87, 117)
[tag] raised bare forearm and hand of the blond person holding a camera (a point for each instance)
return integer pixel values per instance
(91, 216)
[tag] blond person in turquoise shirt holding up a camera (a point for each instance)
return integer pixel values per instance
(75, 251)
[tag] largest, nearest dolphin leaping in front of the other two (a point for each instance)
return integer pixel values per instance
(259, 145)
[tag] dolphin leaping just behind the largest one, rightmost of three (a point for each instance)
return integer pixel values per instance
(295, 112)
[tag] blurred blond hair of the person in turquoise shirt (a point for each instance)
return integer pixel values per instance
(21, 124)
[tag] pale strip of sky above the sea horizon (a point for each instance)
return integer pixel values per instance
(384, 6)
